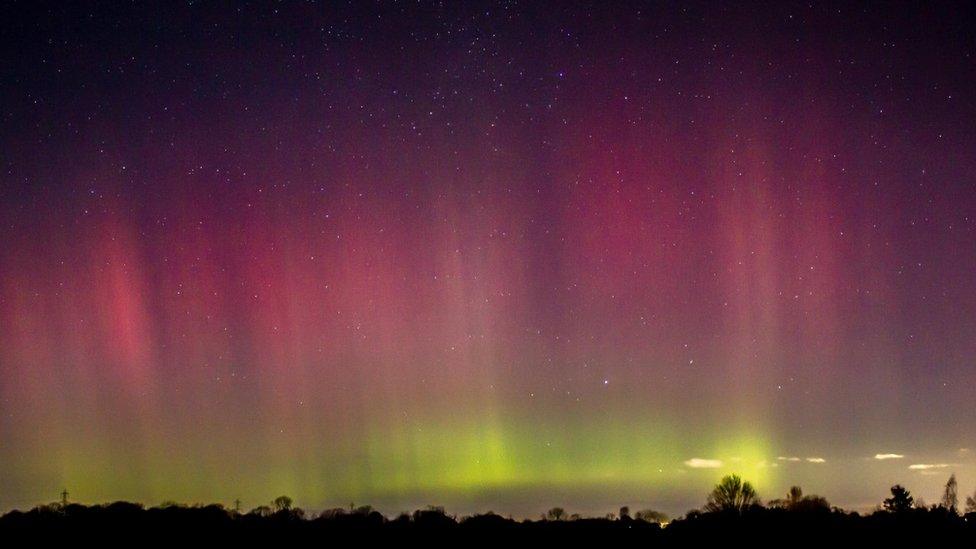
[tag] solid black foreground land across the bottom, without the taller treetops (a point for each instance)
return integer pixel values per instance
(131, 524)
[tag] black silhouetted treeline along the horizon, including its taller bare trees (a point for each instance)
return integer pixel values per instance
(733, 515)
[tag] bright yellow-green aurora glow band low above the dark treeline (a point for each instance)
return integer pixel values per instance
(456, 457)
